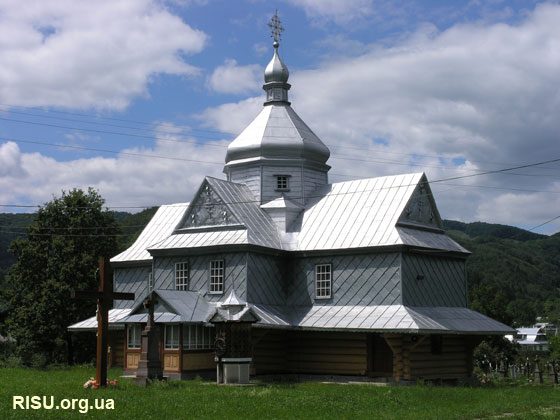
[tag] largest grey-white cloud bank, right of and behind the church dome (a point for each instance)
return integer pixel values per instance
(487, 93)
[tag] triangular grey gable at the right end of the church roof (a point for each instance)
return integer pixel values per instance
(421, 208)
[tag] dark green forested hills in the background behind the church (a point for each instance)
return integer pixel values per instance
(513, 273)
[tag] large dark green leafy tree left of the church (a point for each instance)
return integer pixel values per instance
(60, 252)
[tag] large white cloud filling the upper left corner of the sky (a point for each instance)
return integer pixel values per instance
(84, 54)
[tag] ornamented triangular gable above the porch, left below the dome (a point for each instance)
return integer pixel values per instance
(207, 209)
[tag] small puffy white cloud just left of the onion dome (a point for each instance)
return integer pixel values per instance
(235, 79)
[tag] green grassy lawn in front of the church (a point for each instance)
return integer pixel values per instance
(200, 400)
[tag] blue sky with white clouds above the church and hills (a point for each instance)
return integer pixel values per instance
(140, 98)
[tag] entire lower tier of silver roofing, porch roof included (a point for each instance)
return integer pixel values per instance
(191, 307)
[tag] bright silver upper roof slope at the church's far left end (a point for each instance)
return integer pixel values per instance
(159, 228)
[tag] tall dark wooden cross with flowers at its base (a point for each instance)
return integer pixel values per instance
(104, 296)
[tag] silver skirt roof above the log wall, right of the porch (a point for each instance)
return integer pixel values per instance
(381, 318)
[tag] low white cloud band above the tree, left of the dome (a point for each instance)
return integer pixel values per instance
(141, 179)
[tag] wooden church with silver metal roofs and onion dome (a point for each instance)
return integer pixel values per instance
(353, 278)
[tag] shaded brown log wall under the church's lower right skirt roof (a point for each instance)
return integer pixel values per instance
(337, 353)
